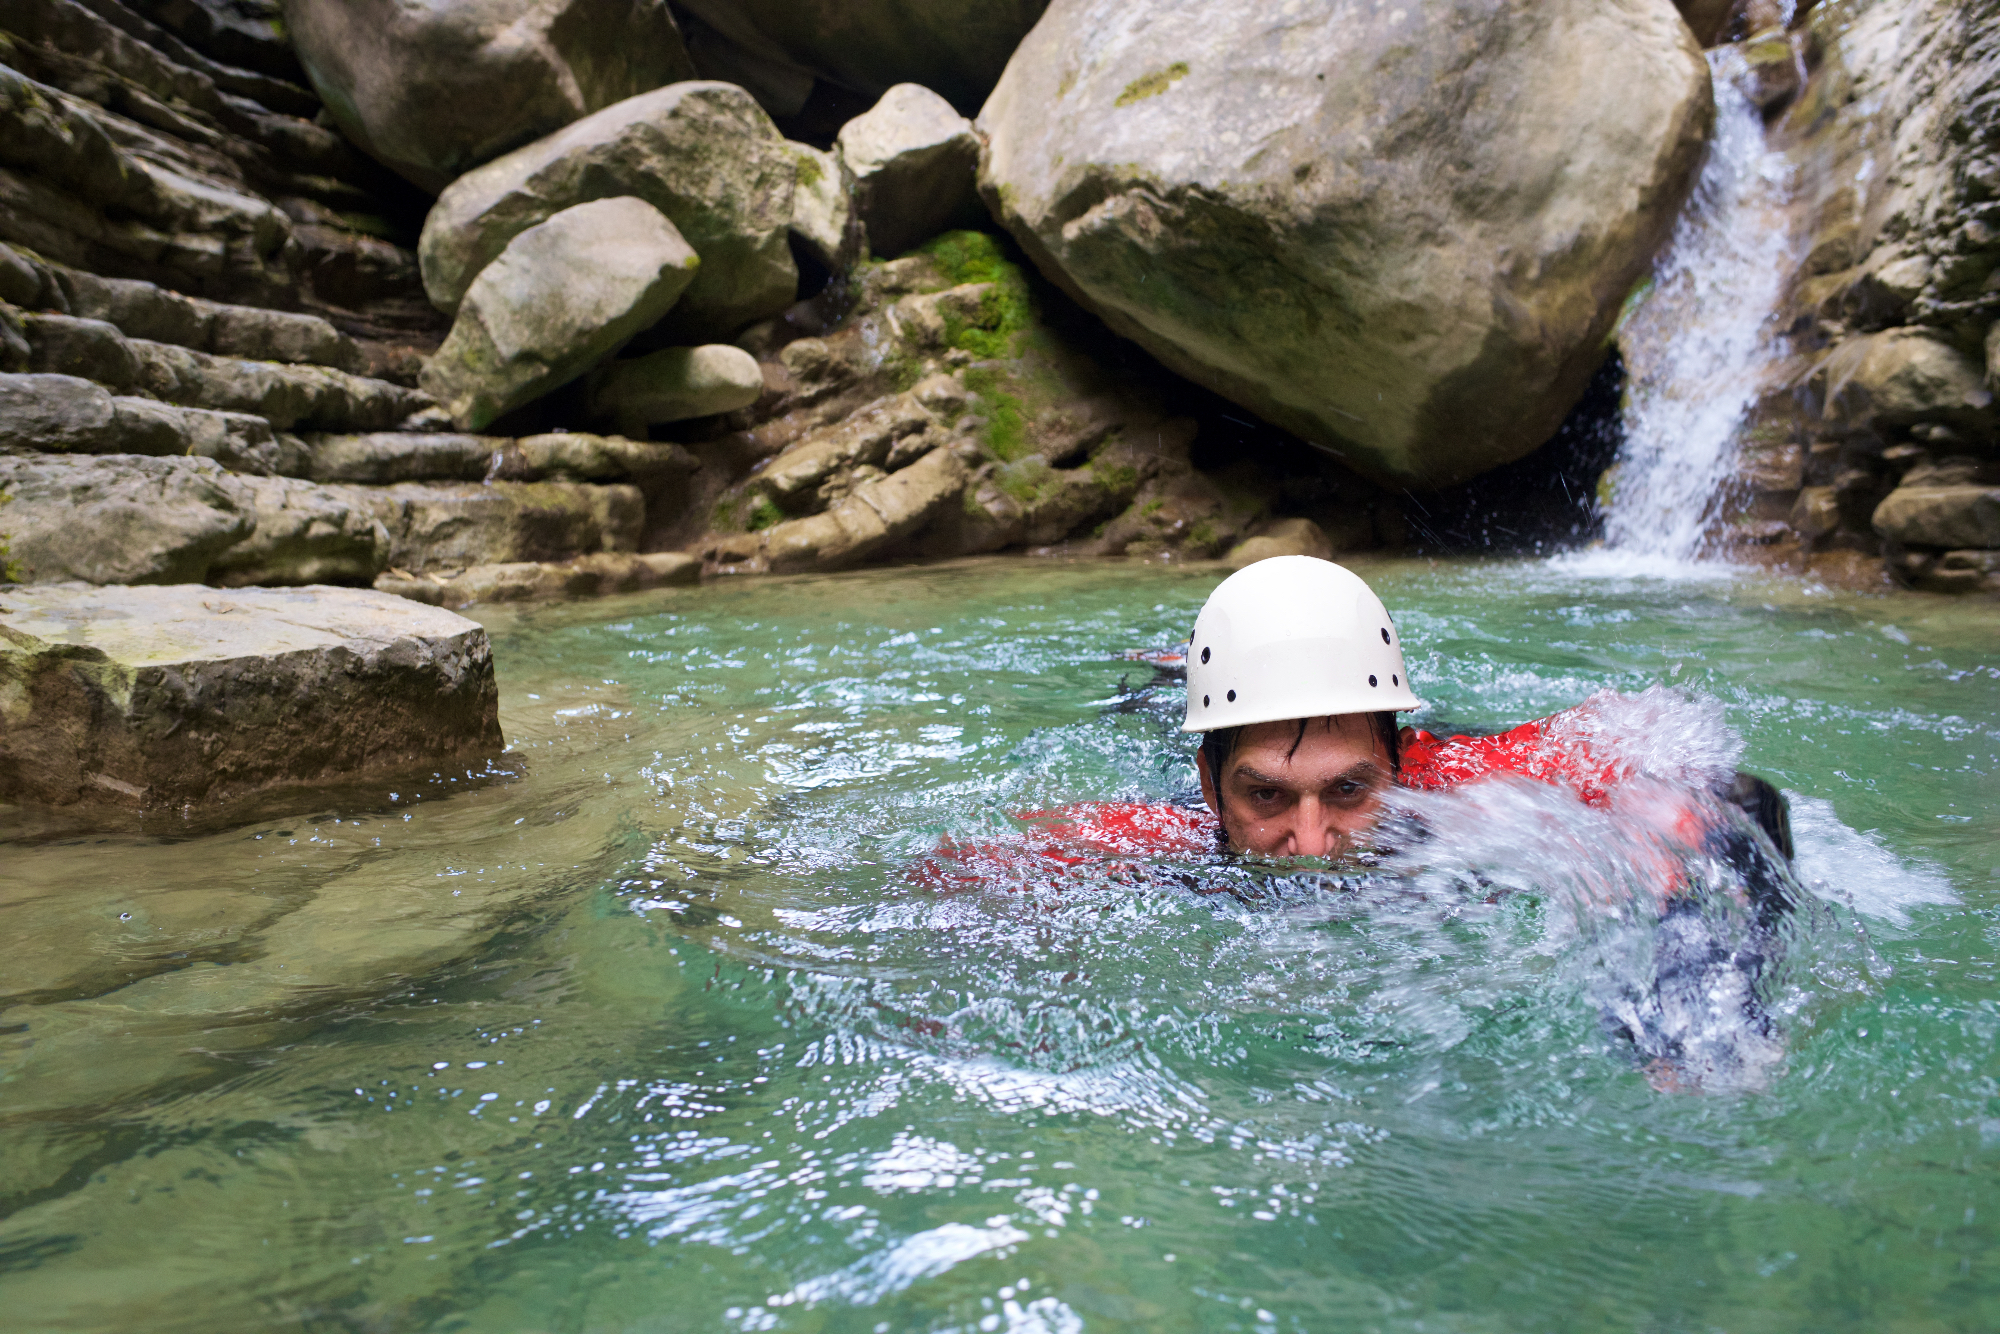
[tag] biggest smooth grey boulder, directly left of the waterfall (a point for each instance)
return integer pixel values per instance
(1397, 233)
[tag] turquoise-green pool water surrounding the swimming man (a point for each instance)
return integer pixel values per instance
(657, 1033)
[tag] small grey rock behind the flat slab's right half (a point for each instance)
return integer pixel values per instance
(305, 535)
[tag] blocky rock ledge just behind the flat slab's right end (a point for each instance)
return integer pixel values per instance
(455, 527)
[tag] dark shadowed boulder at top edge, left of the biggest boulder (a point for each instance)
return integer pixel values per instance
(781, 47)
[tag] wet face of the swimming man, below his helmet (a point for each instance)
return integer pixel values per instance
(1289, 795)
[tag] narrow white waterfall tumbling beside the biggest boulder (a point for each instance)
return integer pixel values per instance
(1701, 347)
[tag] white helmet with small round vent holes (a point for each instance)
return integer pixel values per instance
(1293, 637)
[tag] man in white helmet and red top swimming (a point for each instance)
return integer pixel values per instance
(1295, 677)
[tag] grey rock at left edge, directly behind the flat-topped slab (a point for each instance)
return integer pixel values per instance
(121, 519)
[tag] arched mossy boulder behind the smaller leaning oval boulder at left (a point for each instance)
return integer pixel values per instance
(705, 155)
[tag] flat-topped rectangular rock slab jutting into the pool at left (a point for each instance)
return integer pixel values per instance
(185, 695)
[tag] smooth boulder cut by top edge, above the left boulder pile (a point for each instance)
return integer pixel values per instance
(437, 89)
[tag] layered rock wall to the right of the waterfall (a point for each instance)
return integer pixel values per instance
(1885, 441)
